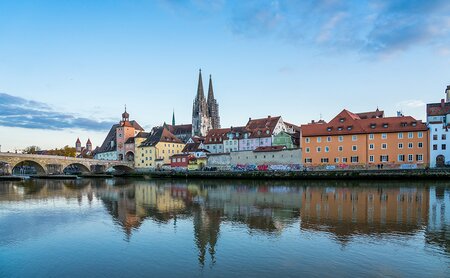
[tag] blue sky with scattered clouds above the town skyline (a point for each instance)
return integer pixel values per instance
(68, 68)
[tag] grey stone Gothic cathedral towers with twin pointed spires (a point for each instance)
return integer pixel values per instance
(205, 112)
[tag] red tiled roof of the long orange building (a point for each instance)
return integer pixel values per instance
(347, 122)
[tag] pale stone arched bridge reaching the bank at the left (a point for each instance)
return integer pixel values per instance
(13, 163)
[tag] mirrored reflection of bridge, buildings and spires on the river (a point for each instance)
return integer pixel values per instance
(343, 210)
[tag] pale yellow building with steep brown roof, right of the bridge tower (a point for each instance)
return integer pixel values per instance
(155, 151)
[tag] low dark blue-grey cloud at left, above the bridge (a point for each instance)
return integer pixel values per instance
(19, 112)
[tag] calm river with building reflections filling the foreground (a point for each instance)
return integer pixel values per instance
(165, 228)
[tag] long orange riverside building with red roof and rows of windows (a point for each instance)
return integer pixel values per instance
(365, 140)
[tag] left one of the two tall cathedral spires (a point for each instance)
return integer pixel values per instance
(200, 117)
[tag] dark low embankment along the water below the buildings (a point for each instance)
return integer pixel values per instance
(299, 175)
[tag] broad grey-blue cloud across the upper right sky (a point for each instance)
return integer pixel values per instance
(366, 27)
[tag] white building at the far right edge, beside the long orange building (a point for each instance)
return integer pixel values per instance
(438, 119)
